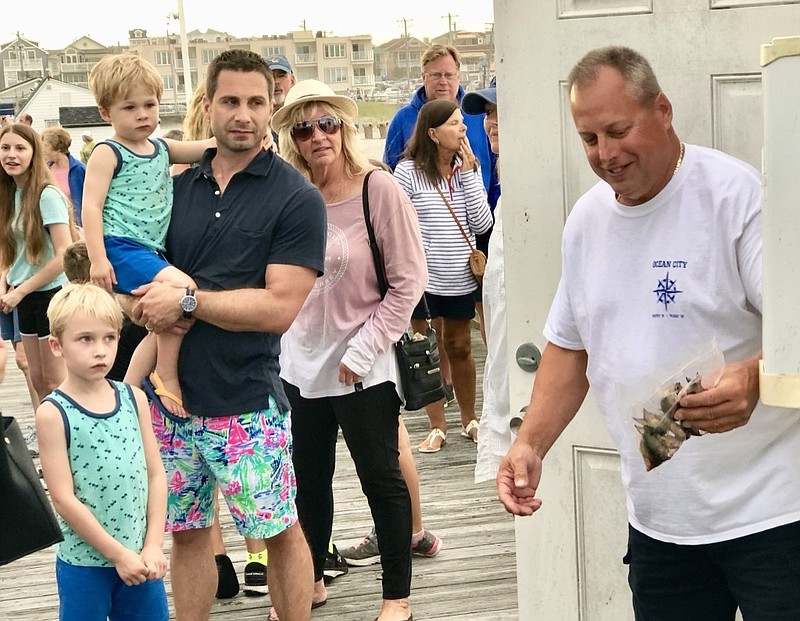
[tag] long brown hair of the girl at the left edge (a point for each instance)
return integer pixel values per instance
(30, 215)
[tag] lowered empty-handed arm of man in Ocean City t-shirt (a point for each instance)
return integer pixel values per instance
(558, 392)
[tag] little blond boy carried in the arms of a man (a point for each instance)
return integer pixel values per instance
(128, 199)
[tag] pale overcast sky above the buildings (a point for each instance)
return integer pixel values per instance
(56, 24)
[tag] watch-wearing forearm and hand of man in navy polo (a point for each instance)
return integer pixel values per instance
(271, 309)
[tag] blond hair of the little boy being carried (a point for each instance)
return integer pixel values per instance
(113, 77)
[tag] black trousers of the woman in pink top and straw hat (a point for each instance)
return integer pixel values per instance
(369, 422)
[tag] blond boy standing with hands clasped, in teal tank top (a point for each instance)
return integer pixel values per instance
(103, 469)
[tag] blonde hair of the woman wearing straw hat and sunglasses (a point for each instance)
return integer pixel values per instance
(356, 161)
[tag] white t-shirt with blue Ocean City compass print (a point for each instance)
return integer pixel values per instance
(643, 290)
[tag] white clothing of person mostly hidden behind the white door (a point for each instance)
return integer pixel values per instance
(494, 434)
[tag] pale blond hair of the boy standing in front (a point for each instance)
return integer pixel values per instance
(83, 298)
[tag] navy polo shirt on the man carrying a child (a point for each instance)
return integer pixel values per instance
(268, 214)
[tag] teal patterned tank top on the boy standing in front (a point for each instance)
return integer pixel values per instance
(109, 474)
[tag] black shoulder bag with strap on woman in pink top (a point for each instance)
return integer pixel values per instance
(418, 355)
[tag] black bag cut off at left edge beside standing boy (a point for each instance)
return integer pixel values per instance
(27, 521)
